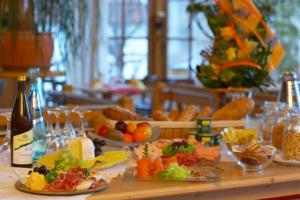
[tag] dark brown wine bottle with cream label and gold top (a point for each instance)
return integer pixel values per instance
(21, 128)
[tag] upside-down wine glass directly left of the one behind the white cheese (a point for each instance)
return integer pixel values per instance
(68, 131)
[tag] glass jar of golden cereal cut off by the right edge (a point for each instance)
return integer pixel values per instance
(291, 139)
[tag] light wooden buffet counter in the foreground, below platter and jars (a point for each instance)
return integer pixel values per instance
(276, 181)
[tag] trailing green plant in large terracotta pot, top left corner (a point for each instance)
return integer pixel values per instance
(27, 28)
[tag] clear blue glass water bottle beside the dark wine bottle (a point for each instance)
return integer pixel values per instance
(39, 128)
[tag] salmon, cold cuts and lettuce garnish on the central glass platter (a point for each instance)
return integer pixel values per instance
(175, 160)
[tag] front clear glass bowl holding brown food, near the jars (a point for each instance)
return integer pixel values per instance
(255, 159)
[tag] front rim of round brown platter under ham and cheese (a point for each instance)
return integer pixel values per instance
(23, 188)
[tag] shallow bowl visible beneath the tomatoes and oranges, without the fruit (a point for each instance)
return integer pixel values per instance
(111, 142)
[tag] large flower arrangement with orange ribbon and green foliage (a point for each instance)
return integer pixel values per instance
(244, 50)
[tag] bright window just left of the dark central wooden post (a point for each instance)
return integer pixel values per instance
(128, 38)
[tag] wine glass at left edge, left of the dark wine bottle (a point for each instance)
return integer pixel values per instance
(5, 147)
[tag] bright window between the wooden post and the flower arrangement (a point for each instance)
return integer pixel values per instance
(184, 40)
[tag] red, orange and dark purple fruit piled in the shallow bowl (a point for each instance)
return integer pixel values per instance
(130, 132)
